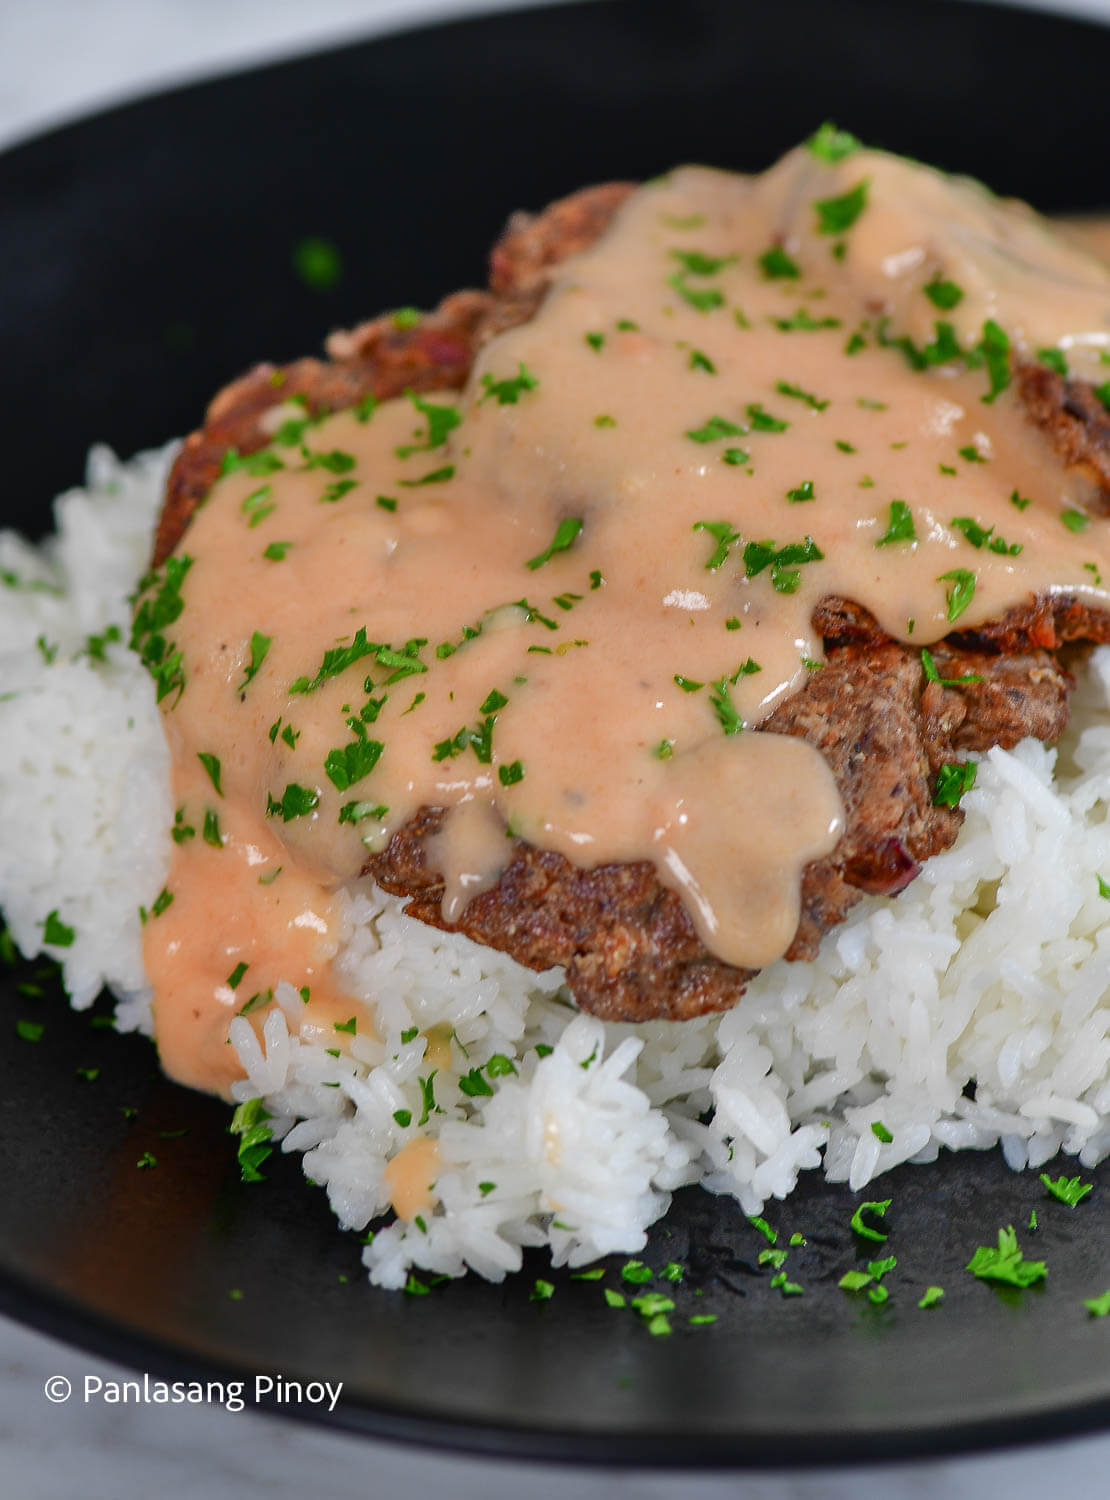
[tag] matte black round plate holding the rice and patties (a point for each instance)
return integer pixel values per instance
(145, 257)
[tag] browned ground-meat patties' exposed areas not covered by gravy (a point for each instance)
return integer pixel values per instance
(626, 941)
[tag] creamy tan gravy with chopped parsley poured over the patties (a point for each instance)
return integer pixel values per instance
(673, 404)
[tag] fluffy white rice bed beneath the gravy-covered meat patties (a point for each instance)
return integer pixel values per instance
(992, 970)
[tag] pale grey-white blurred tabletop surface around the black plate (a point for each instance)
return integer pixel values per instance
(61, 59)
